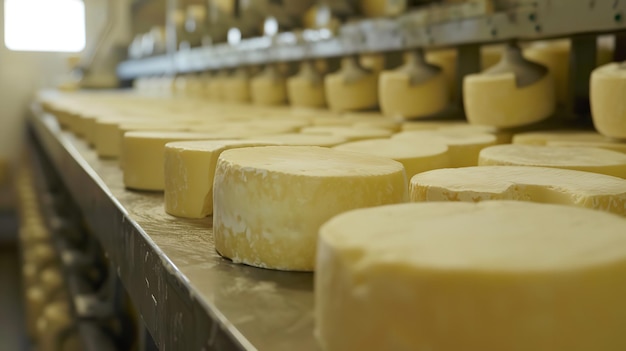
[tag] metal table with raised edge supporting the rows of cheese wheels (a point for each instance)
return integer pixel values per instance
(188, 297)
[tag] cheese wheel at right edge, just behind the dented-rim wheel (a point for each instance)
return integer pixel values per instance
(587, 159)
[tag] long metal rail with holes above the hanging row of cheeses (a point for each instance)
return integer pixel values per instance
(529, 20)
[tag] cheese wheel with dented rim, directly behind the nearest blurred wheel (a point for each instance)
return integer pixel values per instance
(537, 184)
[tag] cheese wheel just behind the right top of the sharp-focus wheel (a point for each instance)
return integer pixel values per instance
(416, 157)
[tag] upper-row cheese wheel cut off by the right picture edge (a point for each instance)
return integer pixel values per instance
(608, 106)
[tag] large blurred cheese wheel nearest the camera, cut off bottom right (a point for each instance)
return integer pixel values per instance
(491, 276)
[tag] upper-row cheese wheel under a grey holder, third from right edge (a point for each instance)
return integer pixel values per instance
(398, 97)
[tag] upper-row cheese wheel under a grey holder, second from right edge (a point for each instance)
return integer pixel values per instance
(495, 100)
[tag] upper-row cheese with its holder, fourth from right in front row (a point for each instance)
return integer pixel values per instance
(352, 87)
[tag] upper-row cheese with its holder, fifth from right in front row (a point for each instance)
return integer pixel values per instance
(306, 89)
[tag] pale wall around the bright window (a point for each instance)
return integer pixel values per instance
(23, 73)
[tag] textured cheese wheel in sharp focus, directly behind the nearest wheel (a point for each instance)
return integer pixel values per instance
(269, 202)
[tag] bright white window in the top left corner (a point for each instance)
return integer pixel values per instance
(44, 25)
